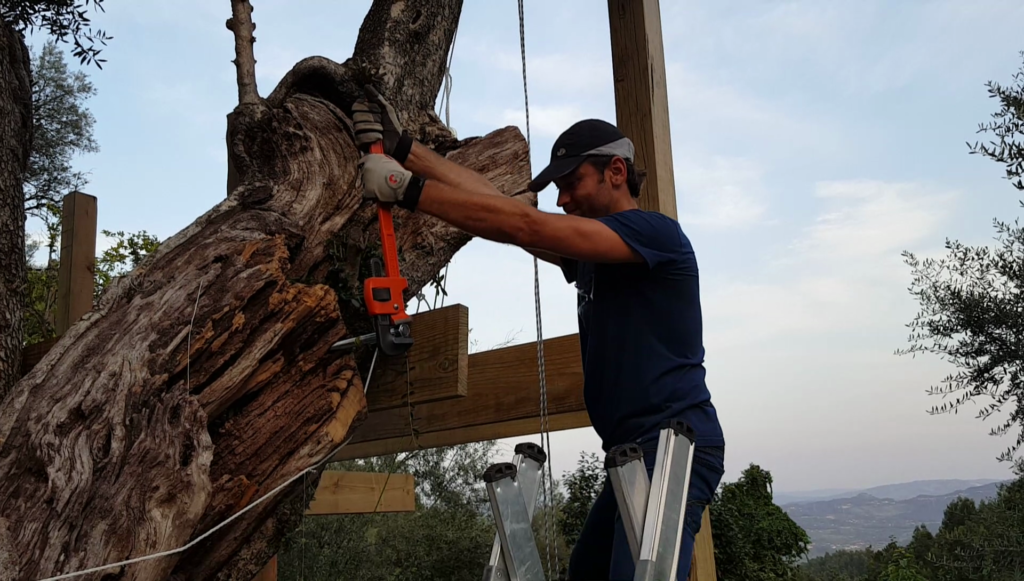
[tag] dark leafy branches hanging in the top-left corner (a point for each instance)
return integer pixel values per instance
(60, 19)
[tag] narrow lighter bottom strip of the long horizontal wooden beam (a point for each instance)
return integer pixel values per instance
(511, 429)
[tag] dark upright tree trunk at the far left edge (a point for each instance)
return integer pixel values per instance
(16, 142)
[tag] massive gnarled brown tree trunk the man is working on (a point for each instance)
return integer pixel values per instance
(203, 380)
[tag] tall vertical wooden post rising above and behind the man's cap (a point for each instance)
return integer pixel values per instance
(643, 97)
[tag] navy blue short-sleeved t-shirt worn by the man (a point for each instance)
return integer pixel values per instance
(642, 335)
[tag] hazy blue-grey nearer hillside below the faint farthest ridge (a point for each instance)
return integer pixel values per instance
(865, 519)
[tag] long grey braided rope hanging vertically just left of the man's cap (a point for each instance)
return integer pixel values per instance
(548, 484)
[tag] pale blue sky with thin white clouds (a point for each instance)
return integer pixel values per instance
(814, 142)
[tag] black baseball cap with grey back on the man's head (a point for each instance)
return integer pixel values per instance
(583, 140)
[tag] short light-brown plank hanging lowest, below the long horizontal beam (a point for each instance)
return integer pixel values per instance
(361, 493)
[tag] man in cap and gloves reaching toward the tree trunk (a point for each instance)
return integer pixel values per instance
(638, 305)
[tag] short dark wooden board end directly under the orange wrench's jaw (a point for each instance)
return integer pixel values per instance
(438, 363)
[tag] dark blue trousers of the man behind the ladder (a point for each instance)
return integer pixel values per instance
(603, 553)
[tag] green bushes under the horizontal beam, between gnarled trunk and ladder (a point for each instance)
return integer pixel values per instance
(448, 537)
